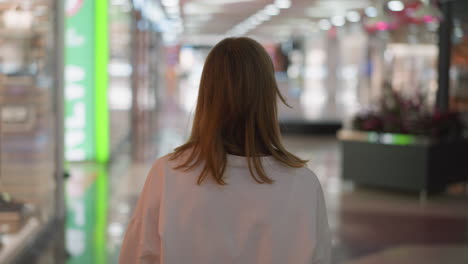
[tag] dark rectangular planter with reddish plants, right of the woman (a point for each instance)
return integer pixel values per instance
(403, 145)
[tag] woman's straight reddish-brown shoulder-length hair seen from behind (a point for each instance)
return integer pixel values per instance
(236, 113)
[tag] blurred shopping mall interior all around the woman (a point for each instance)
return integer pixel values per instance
(93, 92)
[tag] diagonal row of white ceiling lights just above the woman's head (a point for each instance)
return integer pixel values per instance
(260, 17)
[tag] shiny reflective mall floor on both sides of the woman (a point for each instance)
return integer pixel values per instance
(369, 226)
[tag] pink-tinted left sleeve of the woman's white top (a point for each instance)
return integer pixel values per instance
(142, 243)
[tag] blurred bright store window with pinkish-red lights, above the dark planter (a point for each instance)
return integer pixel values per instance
(403, 55)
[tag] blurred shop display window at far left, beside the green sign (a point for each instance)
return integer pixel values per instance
(29, 126)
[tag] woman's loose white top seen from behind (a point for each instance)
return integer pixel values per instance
(178, 222)
